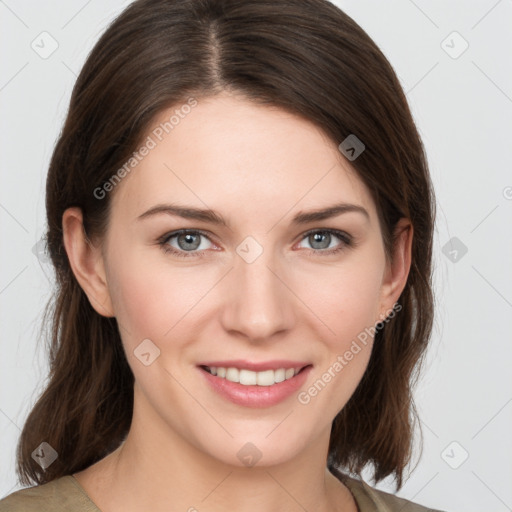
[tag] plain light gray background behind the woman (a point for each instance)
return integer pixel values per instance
(463, 108)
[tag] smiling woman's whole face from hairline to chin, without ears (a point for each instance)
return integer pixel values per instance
(262, 291)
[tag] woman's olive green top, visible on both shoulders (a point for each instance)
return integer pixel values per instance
(65, 494)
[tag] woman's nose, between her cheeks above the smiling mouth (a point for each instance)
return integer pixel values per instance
(259, 303)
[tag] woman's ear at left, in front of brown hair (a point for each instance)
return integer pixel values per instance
(86, 262)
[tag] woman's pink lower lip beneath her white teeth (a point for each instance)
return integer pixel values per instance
(256, 396)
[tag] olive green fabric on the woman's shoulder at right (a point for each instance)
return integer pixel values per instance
(370, 499)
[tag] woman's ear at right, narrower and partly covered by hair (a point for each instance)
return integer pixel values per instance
(397, 270)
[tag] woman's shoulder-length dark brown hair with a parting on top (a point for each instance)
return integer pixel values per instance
(305, 56)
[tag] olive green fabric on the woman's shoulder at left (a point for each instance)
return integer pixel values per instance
(61, 494)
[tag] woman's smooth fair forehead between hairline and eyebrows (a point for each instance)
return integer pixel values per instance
(229, 154)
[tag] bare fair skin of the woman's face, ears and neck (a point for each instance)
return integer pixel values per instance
(257, 166)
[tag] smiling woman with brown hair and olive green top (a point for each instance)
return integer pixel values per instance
(240, 216)
